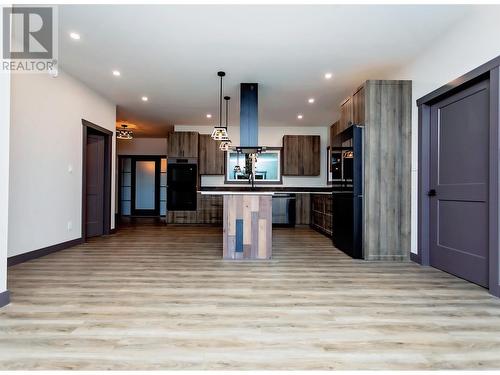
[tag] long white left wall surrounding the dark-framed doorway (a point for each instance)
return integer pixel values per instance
(45, 142)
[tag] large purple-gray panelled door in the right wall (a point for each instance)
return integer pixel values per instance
(459, 177)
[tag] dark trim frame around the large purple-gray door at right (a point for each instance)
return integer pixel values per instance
(489, 71)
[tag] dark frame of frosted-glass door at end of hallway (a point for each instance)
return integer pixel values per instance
(134, 158)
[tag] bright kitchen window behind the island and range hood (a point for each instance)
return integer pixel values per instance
(267, 167)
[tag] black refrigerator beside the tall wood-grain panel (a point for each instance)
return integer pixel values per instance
(347, 193)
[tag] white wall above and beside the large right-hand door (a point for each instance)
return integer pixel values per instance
(470, 43)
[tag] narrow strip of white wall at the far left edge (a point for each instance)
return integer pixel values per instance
(4, 171)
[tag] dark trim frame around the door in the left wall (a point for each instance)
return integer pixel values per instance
(108, 146)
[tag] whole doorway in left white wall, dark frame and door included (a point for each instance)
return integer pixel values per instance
(96, 180)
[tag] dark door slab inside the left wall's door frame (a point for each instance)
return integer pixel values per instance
(95, 185)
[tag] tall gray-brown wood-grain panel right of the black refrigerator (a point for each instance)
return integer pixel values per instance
(387, 170)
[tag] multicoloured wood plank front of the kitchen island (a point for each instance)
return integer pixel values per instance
(247, 226)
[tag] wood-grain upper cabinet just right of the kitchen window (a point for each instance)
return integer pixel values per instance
(301, 155)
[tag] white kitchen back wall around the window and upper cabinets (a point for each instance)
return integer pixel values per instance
(272, 136)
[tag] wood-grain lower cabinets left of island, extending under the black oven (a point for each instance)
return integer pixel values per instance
(209, 211)
